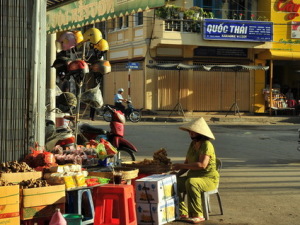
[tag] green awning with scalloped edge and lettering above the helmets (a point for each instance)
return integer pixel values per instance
(85, 12)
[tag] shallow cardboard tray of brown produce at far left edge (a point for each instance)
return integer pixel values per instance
(18, 177)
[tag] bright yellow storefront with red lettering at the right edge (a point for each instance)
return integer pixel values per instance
(284, 54)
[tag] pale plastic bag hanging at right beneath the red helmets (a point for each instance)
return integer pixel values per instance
(93, 97)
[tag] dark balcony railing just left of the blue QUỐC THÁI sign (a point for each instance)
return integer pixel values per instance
(181, 25)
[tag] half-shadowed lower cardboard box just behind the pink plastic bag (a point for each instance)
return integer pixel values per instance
(40, 211)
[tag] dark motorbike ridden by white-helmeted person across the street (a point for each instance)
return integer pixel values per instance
(132, 114)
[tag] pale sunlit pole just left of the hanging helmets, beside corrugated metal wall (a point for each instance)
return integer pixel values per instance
(51, 77)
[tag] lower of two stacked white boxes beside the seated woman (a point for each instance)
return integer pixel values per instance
(157, 213)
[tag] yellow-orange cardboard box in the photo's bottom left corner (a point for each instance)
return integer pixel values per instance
(9, 202)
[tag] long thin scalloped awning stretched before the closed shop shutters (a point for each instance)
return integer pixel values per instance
(179, 66)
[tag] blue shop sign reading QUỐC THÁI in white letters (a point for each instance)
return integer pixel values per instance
(238, 30)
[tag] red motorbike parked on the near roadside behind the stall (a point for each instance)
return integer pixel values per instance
(126, 150)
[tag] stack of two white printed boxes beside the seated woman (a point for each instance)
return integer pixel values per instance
(156, 199)
